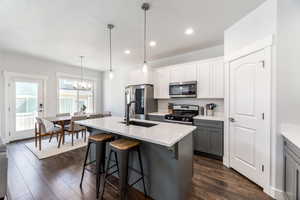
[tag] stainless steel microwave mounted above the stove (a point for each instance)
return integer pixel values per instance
(183, 89)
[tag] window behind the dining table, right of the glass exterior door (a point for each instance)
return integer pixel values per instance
(72, 100)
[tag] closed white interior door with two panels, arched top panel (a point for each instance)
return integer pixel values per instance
(248, 104)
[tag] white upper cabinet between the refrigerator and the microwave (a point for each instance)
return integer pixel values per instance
(161, 83)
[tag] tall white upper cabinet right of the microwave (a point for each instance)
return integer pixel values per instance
(211, 79)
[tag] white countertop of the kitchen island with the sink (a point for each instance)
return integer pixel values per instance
(165, 134)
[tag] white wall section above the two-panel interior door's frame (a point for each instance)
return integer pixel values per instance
(256, 26)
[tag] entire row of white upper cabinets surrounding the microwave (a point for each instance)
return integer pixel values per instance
(209, 75)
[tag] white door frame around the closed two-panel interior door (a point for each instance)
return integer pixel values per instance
(268, 47)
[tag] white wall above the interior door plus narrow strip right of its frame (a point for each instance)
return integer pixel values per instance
(258, 25)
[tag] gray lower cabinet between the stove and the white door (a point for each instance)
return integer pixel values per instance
(208, 137)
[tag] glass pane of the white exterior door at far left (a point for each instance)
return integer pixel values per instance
(26, 105)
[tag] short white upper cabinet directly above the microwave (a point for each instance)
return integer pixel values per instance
(183, 72)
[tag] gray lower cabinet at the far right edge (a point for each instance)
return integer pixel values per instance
(292, 169)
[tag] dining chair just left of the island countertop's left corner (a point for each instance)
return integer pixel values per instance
(76, 128)
